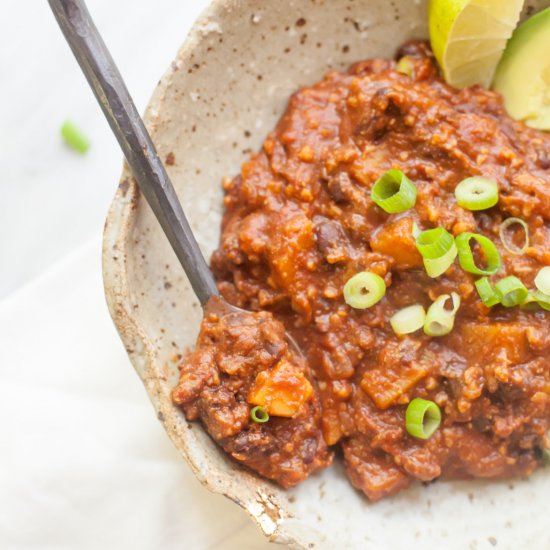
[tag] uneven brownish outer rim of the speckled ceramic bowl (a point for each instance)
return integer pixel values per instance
(261, 506)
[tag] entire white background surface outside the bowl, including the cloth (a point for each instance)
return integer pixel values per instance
(83, 461)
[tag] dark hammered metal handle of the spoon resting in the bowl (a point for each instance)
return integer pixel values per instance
(119, 109)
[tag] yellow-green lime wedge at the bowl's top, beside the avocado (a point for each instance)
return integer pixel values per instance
(469, 36)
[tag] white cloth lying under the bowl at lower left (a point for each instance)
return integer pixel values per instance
(84, 463)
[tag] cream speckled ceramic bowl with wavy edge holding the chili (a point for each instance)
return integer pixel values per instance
(220, 97)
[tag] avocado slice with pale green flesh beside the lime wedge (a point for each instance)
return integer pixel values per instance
(523, 74)
